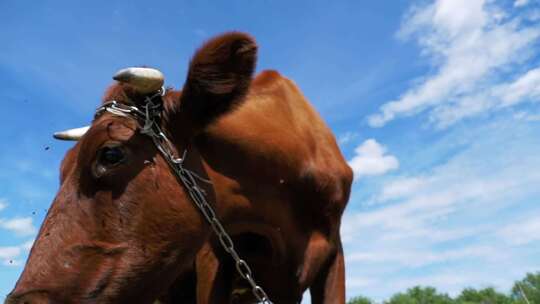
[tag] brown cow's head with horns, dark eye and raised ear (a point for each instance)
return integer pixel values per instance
(121, 227)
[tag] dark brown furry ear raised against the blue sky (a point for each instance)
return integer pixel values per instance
(219, 76)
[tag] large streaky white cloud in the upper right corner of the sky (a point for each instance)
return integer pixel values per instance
(471, 43)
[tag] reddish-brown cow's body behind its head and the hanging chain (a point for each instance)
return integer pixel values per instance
(281, 186)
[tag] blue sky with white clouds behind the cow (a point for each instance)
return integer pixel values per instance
(435, 105)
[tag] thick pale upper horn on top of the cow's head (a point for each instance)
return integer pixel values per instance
(145, 80)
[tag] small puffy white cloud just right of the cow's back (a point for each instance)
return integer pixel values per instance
(370, 159)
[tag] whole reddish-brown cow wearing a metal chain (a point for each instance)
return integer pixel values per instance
(123, 230)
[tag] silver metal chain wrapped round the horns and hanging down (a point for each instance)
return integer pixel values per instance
(150, 127)
